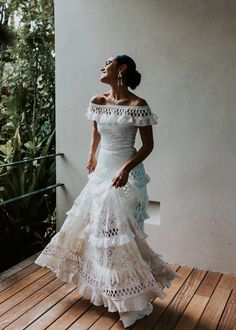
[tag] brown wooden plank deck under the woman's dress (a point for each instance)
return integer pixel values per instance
(33, 298)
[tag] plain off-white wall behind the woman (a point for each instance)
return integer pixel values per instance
(186, 53)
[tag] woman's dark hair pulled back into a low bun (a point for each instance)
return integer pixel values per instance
(133, 77)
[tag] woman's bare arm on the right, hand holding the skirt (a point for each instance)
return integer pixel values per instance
(147, 146)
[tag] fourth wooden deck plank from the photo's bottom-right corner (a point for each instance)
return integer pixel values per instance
(175, 309)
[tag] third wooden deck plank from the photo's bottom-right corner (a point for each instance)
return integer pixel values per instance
(199, 301)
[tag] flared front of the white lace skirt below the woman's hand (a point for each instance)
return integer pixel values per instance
(102, 250)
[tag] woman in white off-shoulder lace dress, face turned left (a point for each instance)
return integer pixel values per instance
(101, 246)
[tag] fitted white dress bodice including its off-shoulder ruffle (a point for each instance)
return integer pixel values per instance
(117, 125)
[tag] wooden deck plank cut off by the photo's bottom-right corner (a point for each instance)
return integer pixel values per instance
(228, 319)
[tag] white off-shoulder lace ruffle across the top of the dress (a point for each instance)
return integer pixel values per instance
(136, 115)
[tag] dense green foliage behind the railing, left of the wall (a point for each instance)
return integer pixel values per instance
(27, 120)
